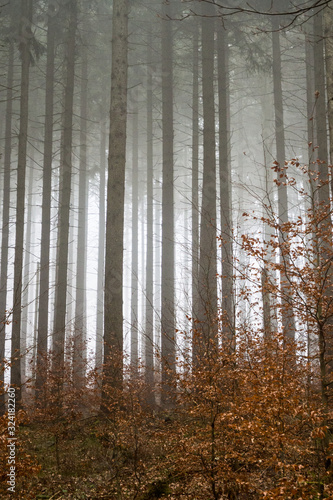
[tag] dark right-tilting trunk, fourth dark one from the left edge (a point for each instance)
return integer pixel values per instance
(64, 201)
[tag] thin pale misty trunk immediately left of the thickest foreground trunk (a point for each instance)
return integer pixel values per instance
(101, 250)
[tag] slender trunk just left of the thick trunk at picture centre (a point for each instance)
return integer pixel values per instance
(149, 330)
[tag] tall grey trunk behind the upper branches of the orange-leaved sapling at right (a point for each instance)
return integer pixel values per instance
(288, 321)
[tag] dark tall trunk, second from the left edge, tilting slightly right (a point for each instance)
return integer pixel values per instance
(25, 43)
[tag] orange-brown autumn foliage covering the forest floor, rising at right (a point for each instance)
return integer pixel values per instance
(248, 417)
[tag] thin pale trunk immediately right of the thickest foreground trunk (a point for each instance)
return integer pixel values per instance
(135, 234)
